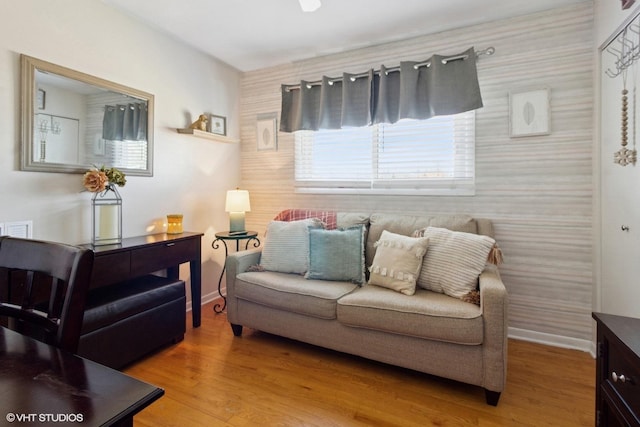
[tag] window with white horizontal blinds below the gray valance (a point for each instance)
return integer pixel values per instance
(434, 156)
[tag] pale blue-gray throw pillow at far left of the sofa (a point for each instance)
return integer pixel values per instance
(286, 248)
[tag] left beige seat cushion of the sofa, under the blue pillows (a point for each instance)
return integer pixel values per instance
(289, 292)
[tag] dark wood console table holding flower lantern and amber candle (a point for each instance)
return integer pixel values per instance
(138, 256)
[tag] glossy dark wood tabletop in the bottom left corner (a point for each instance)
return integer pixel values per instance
(43, 385)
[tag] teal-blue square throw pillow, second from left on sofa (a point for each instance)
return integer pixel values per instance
(337, 254)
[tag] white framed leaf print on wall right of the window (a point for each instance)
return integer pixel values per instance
(529, 113)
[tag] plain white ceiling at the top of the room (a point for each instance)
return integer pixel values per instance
(253, 34)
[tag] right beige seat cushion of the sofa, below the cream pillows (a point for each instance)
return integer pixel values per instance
(425, 314)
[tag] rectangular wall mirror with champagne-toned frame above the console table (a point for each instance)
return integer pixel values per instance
(72, 121)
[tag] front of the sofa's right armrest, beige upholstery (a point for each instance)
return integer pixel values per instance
(494, 304)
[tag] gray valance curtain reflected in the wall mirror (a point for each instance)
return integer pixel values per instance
(125, 122)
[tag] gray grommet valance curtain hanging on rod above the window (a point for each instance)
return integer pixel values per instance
(442, 85)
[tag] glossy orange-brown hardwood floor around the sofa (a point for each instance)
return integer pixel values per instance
(215, 379)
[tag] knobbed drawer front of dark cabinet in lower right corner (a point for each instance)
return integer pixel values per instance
(623, 375)
